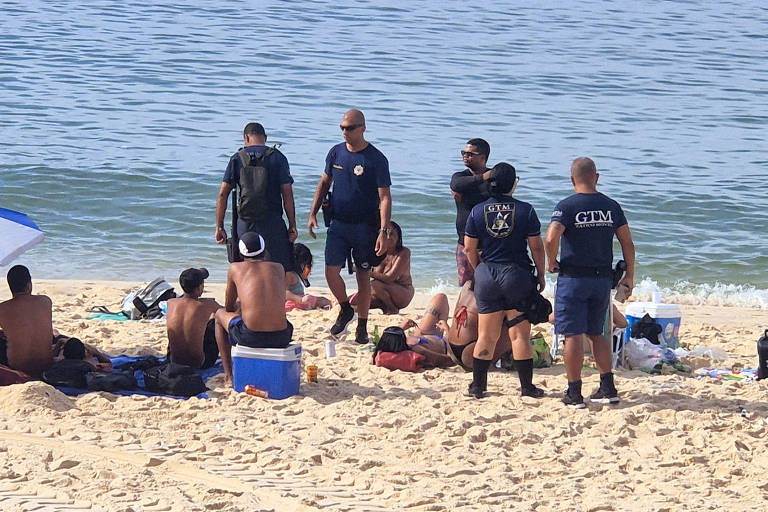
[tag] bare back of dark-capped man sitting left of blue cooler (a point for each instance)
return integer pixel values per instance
(186, 321)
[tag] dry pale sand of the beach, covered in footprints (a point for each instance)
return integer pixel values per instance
(365, 438)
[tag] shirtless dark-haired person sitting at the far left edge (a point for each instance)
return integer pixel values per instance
(27, 323)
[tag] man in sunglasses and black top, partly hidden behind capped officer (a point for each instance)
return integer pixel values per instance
(469, 188)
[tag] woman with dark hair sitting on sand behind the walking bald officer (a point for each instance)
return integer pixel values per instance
(391, 286)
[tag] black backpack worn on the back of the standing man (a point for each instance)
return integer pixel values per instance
(252, 203)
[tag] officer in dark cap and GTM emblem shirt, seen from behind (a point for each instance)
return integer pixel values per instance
(503, 228)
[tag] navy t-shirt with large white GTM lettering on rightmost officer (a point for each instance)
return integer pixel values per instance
(590, 221)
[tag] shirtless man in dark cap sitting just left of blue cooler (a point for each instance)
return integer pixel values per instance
(190, 323)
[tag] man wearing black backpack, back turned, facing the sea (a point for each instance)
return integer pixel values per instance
(264, 185)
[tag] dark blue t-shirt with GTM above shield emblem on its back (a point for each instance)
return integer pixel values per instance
(502, 228)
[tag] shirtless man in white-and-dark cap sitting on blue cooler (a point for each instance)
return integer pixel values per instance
(260, 321)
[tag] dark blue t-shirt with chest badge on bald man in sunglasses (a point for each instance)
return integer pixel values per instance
(357, 178)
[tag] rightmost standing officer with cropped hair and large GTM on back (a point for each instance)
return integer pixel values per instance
(586, 222)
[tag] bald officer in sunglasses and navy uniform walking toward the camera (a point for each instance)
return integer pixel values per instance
(361, 204)
